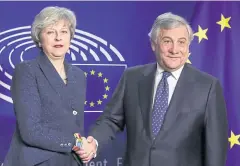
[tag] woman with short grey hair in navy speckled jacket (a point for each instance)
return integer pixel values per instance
(48, 96)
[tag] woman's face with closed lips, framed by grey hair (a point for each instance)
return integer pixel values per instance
(55, 40)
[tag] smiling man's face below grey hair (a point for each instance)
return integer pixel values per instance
(172, 48)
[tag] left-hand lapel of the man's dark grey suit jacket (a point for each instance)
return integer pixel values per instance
(145, 89)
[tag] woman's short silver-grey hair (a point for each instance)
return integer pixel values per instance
(49, 16)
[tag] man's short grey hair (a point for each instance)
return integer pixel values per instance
(168, 21)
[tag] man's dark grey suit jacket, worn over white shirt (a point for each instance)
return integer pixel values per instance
(195, 129)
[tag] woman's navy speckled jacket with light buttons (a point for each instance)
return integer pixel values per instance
(48, 112)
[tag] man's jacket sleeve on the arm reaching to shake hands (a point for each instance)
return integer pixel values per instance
(112, 120)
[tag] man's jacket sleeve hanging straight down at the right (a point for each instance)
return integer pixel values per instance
(216, 127)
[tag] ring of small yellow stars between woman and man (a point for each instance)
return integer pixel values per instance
(107, 88)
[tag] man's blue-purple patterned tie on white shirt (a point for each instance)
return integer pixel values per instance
(160, 104)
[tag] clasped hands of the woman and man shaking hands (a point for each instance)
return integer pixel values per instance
(84, 149)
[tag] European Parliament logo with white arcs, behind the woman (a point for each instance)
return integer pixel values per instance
(101, 62)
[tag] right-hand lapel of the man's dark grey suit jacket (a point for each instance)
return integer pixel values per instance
(178, 102)
